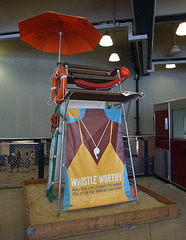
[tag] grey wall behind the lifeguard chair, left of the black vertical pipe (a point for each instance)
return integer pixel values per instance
(25, 86)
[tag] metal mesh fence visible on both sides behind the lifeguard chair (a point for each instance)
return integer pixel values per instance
(29, 160)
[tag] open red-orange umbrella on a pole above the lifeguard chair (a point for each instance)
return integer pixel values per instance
(59, 33)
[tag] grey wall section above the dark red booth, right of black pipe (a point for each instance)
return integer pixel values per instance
(162, 85)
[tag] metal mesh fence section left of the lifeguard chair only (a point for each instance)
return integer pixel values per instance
(23, 160)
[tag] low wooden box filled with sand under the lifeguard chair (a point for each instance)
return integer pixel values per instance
(43, 223)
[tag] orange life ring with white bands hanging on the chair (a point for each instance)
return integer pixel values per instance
(60, 77)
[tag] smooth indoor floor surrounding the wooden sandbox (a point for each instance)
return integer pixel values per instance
(13, 227)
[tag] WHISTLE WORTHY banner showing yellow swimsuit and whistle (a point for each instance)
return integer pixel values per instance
(95, 171)
